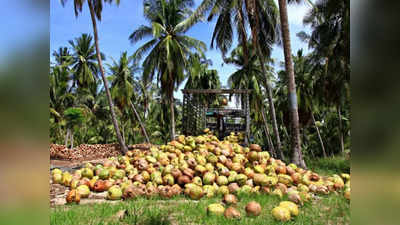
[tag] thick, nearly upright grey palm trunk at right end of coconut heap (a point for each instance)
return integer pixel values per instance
(297, 157)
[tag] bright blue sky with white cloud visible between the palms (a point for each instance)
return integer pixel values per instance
(118, 22)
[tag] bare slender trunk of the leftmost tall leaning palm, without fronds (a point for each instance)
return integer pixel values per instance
(123, 147)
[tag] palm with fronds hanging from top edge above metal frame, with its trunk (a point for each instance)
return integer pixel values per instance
(237, 15)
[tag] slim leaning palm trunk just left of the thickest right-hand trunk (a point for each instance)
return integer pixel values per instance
(253, 12)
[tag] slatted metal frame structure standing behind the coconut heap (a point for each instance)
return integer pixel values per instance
(196, 114)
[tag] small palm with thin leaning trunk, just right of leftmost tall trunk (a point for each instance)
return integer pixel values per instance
(122, 83)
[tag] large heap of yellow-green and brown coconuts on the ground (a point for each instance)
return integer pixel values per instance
(198, 167)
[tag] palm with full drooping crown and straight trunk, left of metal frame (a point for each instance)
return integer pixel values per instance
(169, 47)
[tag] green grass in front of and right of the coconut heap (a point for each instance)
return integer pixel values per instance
(327, 209)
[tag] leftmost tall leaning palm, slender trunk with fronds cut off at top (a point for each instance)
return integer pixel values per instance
(95, 8)
